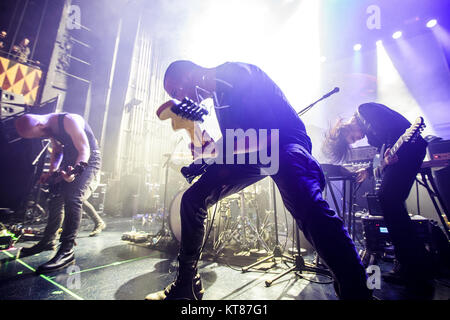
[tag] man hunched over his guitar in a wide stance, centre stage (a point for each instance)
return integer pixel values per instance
(244, 98)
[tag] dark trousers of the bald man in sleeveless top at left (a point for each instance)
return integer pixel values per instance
(65, 207)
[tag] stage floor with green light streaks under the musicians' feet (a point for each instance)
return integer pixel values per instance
(108, 268)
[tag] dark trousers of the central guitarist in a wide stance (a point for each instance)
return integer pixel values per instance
(301, 182)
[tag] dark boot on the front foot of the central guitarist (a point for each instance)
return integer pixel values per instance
(187, 286)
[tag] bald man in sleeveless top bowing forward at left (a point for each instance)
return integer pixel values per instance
(73, 145)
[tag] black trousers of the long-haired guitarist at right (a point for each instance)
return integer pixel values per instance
(398, 180)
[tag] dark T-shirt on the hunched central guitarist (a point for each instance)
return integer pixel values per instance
(247, 98)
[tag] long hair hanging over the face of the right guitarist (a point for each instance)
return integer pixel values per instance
(335, 146)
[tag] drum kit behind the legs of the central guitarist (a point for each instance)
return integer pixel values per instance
(242, 221)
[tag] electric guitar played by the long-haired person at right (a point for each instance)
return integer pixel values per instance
(410, 136)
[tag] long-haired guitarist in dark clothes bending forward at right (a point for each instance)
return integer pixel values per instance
(384, 126)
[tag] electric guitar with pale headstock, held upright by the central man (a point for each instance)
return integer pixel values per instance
(187, 115)
